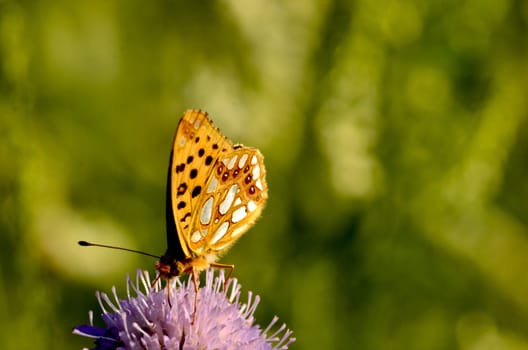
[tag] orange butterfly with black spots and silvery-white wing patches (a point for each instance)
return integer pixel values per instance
(215, 192)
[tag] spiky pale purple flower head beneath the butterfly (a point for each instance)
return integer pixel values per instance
(145, 320)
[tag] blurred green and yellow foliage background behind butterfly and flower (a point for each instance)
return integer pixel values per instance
(396, 143)
